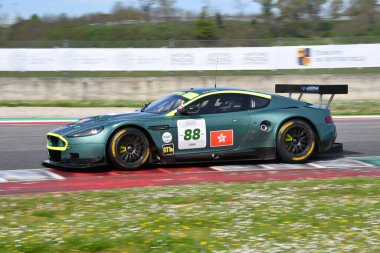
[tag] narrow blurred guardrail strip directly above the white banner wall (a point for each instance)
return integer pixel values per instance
(172, 43)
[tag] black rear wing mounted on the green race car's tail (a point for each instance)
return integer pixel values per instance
(313, 89)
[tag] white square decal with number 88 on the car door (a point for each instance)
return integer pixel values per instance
(191, 133)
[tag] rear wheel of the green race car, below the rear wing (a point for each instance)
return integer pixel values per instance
(295, 141)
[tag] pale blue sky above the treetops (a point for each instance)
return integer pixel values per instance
(25, 8)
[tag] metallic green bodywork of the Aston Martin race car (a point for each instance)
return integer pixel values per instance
(245, 125)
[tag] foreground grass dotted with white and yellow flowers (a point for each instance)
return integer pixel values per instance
(335, 215)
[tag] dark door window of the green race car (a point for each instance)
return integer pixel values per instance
(223, 103)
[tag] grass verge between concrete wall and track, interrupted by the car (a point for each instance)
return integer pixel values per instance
(339, 107)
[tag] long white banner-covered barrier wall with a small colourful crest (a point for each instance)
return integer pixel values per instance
(172, 59)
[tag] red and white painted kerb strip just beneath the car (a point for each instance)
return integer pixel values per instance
(346, 164)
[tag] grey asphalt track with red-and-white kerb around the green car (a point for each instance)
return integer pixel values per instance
(22, 148)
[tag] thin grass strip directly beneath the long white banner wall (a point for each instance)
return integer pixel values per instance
(70, 74)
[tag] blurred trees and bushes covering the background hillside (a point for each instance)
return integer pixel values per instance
(277, 18)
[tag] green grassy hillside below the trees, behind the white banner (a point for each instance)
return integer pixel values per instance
(156, 34)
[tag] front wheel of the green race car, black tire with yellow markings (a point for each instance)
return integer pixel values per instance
(128, 149)
